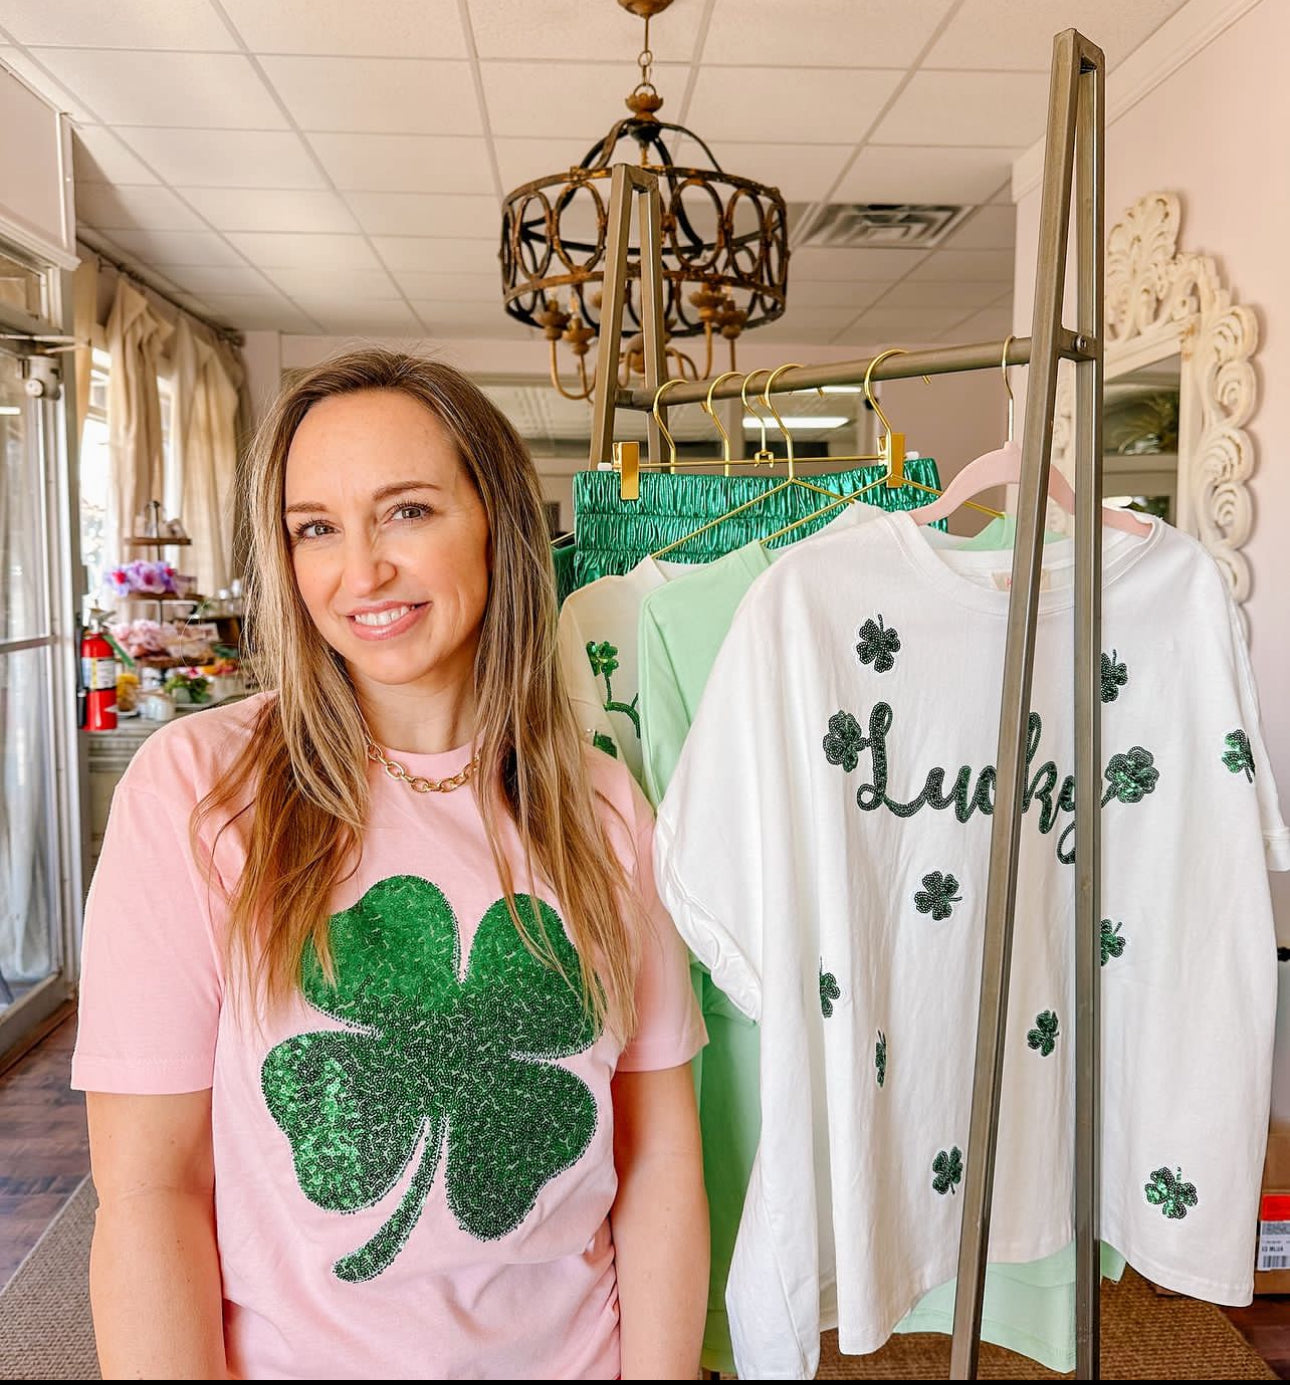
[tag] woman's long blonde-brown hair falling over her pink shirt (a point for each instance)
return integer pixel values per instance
(303, 776)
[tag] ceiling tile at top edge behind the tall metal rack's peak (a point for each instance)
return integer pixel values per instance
(972, 38)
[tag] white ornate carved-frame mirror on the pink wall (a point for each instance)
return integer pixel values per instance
(1174, 334)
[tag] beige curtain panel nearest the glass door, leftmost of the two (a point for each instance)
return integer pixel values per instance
(136, 337)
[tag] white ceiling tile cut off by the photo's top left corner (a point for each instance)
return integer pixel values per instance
(142, 24)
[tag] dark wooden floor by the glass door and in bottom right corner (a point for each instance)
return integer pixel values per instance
(45, 1154)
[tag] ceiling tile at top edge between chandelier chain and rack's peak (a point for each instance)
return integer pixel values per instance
(838, 34)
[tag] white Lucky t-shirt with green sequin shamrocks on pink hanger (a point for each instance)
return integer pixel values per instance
(824, 848)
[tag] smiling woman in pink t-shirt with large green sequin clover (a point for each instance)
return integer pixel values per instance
(385, 1033)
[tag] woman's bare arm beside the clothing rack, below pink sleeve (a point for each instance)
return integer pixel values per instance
(660, 1224)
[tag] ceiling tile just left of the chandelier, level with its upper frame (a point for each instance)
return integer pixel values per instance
(405, 163)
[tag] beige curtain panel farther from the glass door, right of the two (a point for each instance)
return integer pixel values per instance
(204, 441)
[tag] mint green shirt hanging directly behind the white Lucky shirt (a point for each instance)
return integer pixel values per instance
(1029, 1308)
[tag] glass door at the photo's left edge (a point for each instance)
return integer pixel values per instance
(37, 830)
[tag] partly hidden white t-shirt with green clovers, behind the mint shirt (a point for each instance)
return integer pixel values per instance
(597, 646)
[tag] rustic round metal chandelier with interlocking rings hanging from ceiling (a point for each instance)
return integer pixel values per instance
(725, 244)
